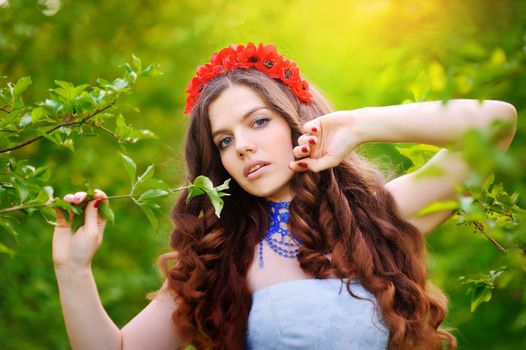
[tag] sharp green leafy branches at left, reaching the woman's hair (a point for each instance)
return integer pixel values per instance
(71, 111)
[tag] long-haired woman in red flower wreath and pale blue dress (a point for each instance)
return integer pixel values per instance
(313, 249)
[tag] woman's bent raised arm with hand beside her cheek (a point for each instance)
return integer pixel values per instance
(332, 137)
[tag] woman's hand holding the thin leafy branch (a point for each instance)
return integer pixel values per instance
(77, 249)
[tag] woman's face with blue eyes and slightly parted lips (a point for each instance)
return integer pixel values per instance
(254, 143)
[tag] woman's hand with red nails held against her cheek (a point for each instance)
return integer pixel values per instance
(326, 142)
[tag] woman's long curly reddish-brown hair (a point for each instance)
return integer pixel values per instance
(344, 211)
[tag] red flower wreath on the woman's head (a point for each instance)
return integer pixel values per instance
(263, 58)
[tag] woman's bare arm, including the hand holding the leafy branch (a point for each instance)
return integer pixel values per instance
(87, 323)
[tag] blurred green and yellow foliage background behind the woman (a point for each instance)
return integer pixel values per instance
(360, 53)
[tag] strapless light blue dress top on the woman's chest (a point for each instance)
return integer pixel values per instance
(315, 314)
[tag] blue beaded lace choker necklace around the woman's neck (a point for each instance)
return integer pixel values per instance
(278, 237)
